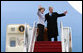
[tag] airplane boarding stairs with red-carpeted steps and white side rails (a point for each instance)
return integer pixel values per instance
(65, 45)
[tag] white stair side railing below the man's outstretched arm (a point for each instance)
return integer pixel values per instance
(66, 39)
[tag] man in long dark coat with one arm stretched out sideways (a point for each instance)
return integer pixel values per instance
(51, 19)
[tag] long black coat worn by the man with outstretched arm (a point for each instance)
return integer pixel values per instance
(52, 23)
